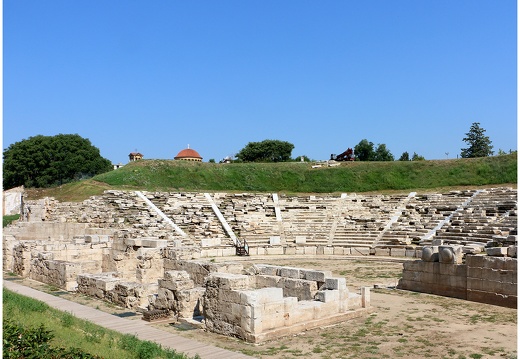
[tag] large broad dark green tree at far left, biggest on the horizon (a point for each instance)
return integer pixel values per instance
(44, 161)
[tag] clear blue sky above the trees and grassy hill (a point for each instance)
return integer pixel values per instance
(155, 76)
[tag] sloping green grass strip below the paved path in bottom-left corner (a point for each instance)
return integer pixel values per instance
(71, 332)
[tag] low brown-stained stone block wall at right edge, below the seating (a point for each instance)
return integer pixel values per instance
(481, 278)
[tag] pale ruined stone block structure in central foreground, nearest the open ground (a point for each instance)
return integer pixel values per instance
(274, 301)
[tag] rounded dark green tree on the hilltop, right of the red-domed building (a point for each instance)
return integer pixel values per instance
(266, 151)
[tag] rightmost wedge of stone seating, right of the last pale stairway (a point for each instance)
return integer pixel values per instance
(489, 214)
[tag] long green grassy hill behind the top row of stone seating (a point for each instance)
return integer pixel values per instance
(294, 177)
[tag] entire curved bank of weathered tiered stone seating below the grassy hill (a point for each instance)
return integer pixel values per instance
(329, 220)
